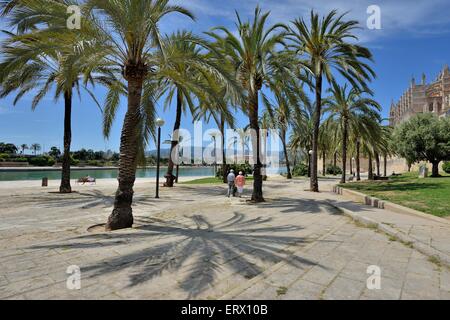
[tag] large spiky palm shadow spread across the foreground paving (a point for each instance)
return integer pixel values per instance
(194, 249)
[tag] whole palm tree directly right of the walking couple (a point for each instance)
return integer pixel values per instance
(250, 52)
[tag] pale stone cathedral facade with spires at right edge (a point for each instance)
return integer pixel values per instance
(423, 98)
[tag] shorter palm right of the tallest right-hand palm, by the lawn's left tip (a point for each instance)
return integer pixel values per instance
(346, 106)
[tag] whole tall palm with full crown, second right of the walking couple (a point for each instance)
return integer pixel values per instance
(323, 46)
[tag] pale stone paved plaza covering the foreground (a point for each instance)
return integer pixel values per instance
(196, 243)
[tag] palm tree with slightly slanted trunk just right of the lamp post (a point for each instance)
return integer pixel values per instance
(189, 71)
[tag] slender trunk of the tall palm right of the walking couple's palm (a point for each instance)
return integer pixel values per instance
(314, 182)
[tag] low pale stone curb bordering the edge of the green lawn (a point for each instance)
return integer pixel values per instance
(383, 204)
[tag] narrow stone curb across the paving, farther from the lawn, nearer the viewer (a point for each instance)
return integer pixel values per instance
(422, 248)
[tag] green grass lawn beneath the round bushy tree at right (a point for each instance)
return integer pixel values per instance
(429, 195)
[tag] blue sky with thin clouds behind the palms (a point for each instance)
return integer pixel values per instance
(414, 38)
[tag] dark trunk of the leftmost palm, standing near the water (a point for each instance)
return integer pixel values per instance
(65, 173)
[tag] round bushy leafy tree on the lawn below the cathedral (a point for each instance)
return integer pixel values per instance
(424, 137)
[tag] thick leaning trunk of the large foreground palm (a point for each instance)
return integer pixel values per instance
(122, 214)
